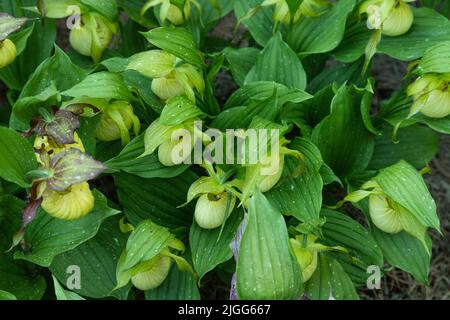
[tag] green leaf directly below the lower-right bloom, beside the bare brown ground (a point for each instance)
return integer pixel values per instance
(405, 252)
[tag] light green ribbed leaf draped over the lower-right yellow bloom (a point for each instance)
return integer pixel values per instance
(405, 185)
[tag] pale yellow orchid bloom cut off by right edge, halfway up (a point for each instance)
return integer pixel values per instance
(431, 94)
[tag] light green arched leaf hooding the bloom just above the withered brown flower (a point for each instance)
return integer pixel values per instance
(103, 85)
